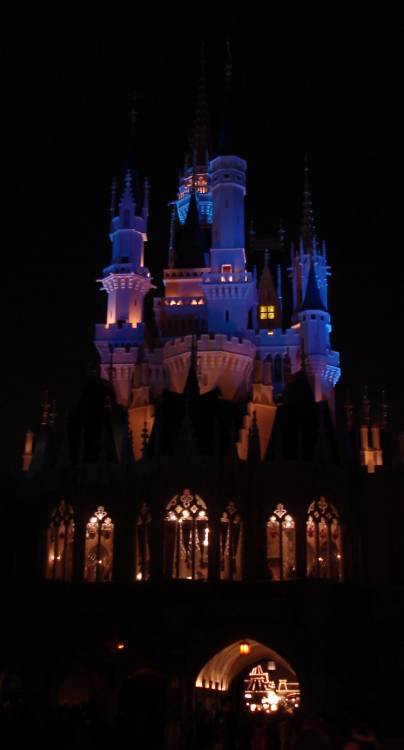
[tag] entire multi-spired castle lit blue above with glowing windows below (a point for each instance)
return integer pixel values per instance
(198, 499)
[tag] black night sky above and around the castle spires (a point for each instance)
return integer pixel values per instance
(335, 91)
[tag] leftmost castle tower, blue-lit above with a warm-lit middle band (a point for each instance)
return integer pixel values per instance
(126, 282)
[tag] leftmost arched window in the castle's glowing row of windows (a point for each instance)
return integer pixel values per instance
(60, 542)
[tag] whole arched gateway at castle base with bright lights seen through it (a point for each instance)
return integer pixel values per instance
(244, 687)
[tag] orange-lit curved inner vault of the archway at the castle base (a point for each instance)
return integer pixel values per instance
(220, 671)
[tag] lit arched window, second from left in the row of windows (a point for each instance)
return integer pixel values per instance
(99, 547)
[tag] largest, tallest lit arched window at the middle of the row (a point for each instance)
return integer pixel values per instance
(186, 541)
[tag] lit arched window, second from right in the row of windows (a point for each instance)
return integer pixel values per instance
(281, 545)
